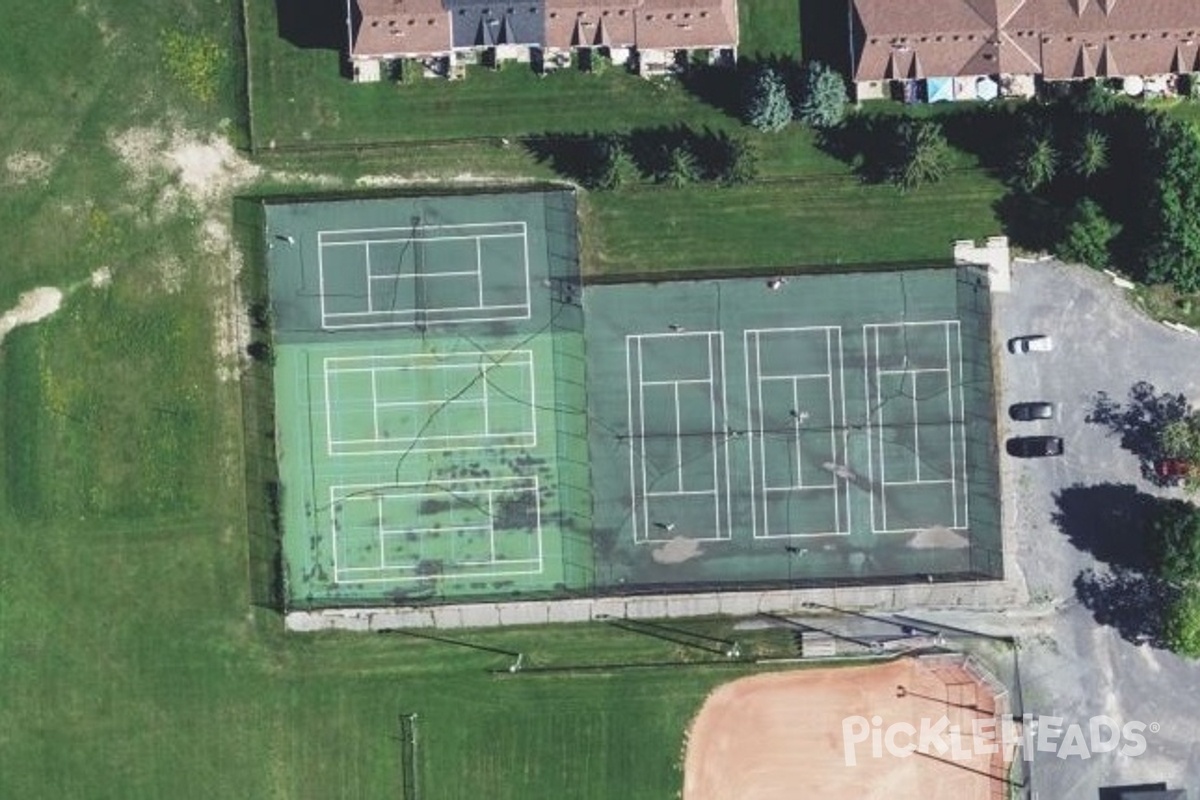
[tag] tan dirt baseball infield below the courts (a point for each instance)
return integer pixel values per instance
(784, 736)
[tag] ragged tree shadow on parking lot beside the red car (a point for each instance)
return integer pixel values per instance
(1141, 422)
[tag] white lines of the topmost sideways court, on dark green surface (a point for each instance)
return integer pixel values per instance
(398, 318)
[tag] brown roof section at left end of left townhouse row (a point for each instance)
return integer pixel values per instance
(394, 28)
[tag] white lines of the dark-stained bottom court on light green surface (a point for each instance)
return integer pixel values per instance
(343, 494)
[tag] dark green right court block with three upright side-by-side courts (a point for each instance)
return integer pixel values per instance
(817, 430)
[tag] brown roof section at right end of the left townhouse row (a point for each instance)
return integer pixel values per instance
(679, 25)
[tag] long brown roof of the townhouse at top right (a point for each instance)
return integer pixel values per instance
(1057, 39)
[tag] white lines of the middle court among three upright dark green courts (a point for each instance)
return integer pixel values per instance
(759, 467)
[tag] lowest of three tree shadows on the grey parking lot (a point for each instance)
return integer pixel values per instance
(1129, 601)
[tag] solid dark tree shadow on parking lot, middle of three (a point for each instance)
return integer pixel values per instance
(1111, 521)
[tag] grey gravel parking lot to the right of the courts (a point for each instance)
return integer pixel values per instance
(1079, 513)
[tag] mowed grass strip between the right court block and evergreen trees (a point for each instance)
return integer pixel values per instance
(820, 222)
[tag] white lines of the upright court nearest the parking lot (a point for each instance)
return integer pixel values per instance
(947, 326)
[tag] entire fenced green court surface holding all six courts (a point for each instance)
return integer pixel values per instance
(459, 419)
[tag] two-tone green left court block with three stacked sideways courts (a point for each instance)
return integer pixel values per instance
(421, 424)
